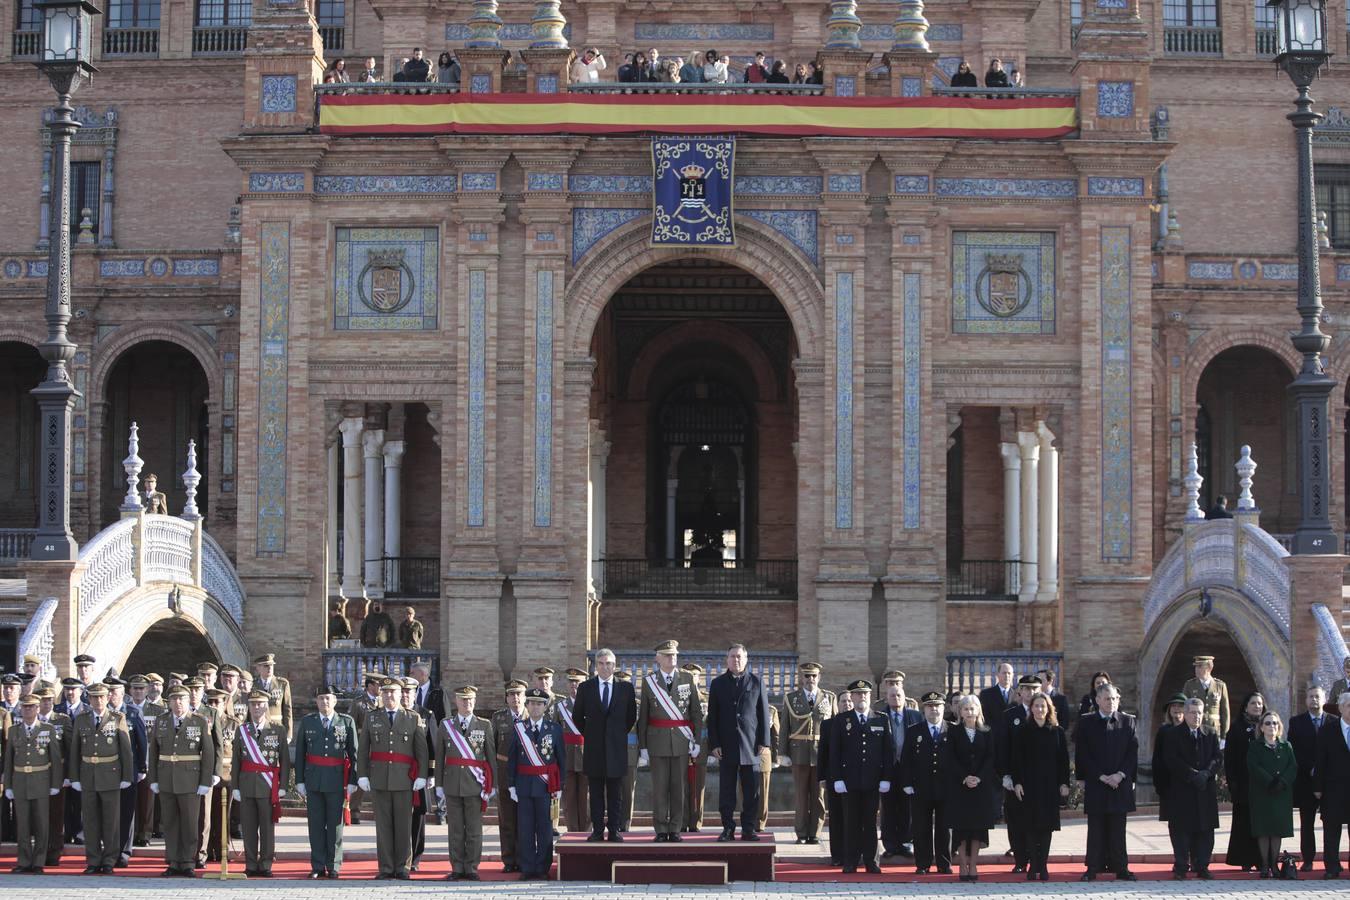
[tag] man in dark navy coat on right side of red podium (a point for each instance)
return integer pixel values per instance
(738, 733)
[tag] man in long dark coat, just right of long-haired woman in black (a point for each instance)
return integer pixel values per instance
(1106, 760)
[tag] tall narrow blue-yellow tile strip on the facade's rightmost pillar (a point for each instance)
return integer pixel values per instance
(1117, 418)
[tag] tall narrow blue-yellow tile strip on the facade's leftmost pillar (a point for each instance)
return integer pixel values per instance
(275, 331)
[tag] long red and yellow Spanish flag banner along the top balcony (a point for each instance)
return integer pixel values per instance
(620, 114)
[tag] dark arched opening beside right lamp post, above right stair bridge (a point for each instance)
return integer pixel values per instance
(1243, 399)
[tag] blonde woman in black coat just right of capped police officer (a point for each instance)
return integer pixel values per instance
(970, 787)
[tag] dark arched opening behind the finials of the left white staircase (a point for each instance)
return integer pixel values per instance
(163, 388)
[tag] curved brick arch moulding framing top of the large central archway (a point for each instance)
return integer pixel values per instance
(626, 253)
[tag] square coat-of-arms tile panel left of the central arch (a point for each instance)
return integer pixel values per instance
(387, 280)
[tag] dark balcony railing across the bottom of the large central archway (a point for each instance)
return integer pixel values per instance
(732, 580)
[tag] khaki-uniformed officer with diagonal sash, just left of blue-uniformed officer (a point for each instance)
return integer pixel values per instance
(466, 758)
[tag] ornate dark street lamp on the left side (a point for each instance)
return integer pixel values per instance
(67, 60)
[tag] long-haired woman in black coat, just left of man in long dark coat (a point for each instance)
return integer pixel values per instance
(1040, 781)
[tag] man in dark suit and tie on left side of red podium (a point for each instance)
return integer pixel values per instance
(605, 712)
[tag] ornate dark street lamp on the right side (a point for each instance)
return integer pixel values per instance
(1302, 52)
